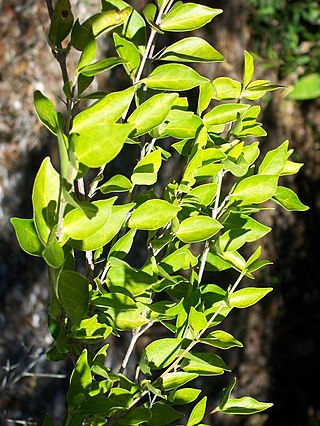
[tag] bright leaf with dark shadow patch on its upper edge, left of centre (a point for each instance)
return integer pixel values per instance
(79, 224)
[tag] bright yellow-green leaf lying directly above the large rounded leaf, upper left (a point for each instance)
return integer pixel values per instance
(106, 110)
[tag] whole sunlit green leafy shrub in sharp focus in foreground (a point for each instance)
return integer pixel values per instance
(191, 225)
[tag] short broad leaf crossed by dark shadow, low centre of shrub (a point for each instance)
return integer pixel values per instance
(162, 352)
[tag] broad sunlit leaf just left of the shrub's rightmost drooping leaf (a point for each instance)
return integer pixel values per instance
(255, 189)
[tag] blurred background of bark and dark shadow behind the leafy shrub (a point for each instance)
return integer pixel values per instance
(280, 358)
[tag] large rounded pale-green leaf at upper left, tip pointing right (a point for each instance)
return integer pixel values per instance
(100, 144)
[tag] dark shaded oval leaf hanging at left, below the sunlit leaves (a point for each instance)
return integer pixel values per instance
(73, 293)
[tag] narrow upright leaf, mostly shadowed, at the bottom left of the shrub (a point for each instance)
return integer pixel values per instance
(80, 380)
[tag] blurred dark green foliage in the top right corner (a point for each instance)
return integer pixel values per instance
(287, 33)
